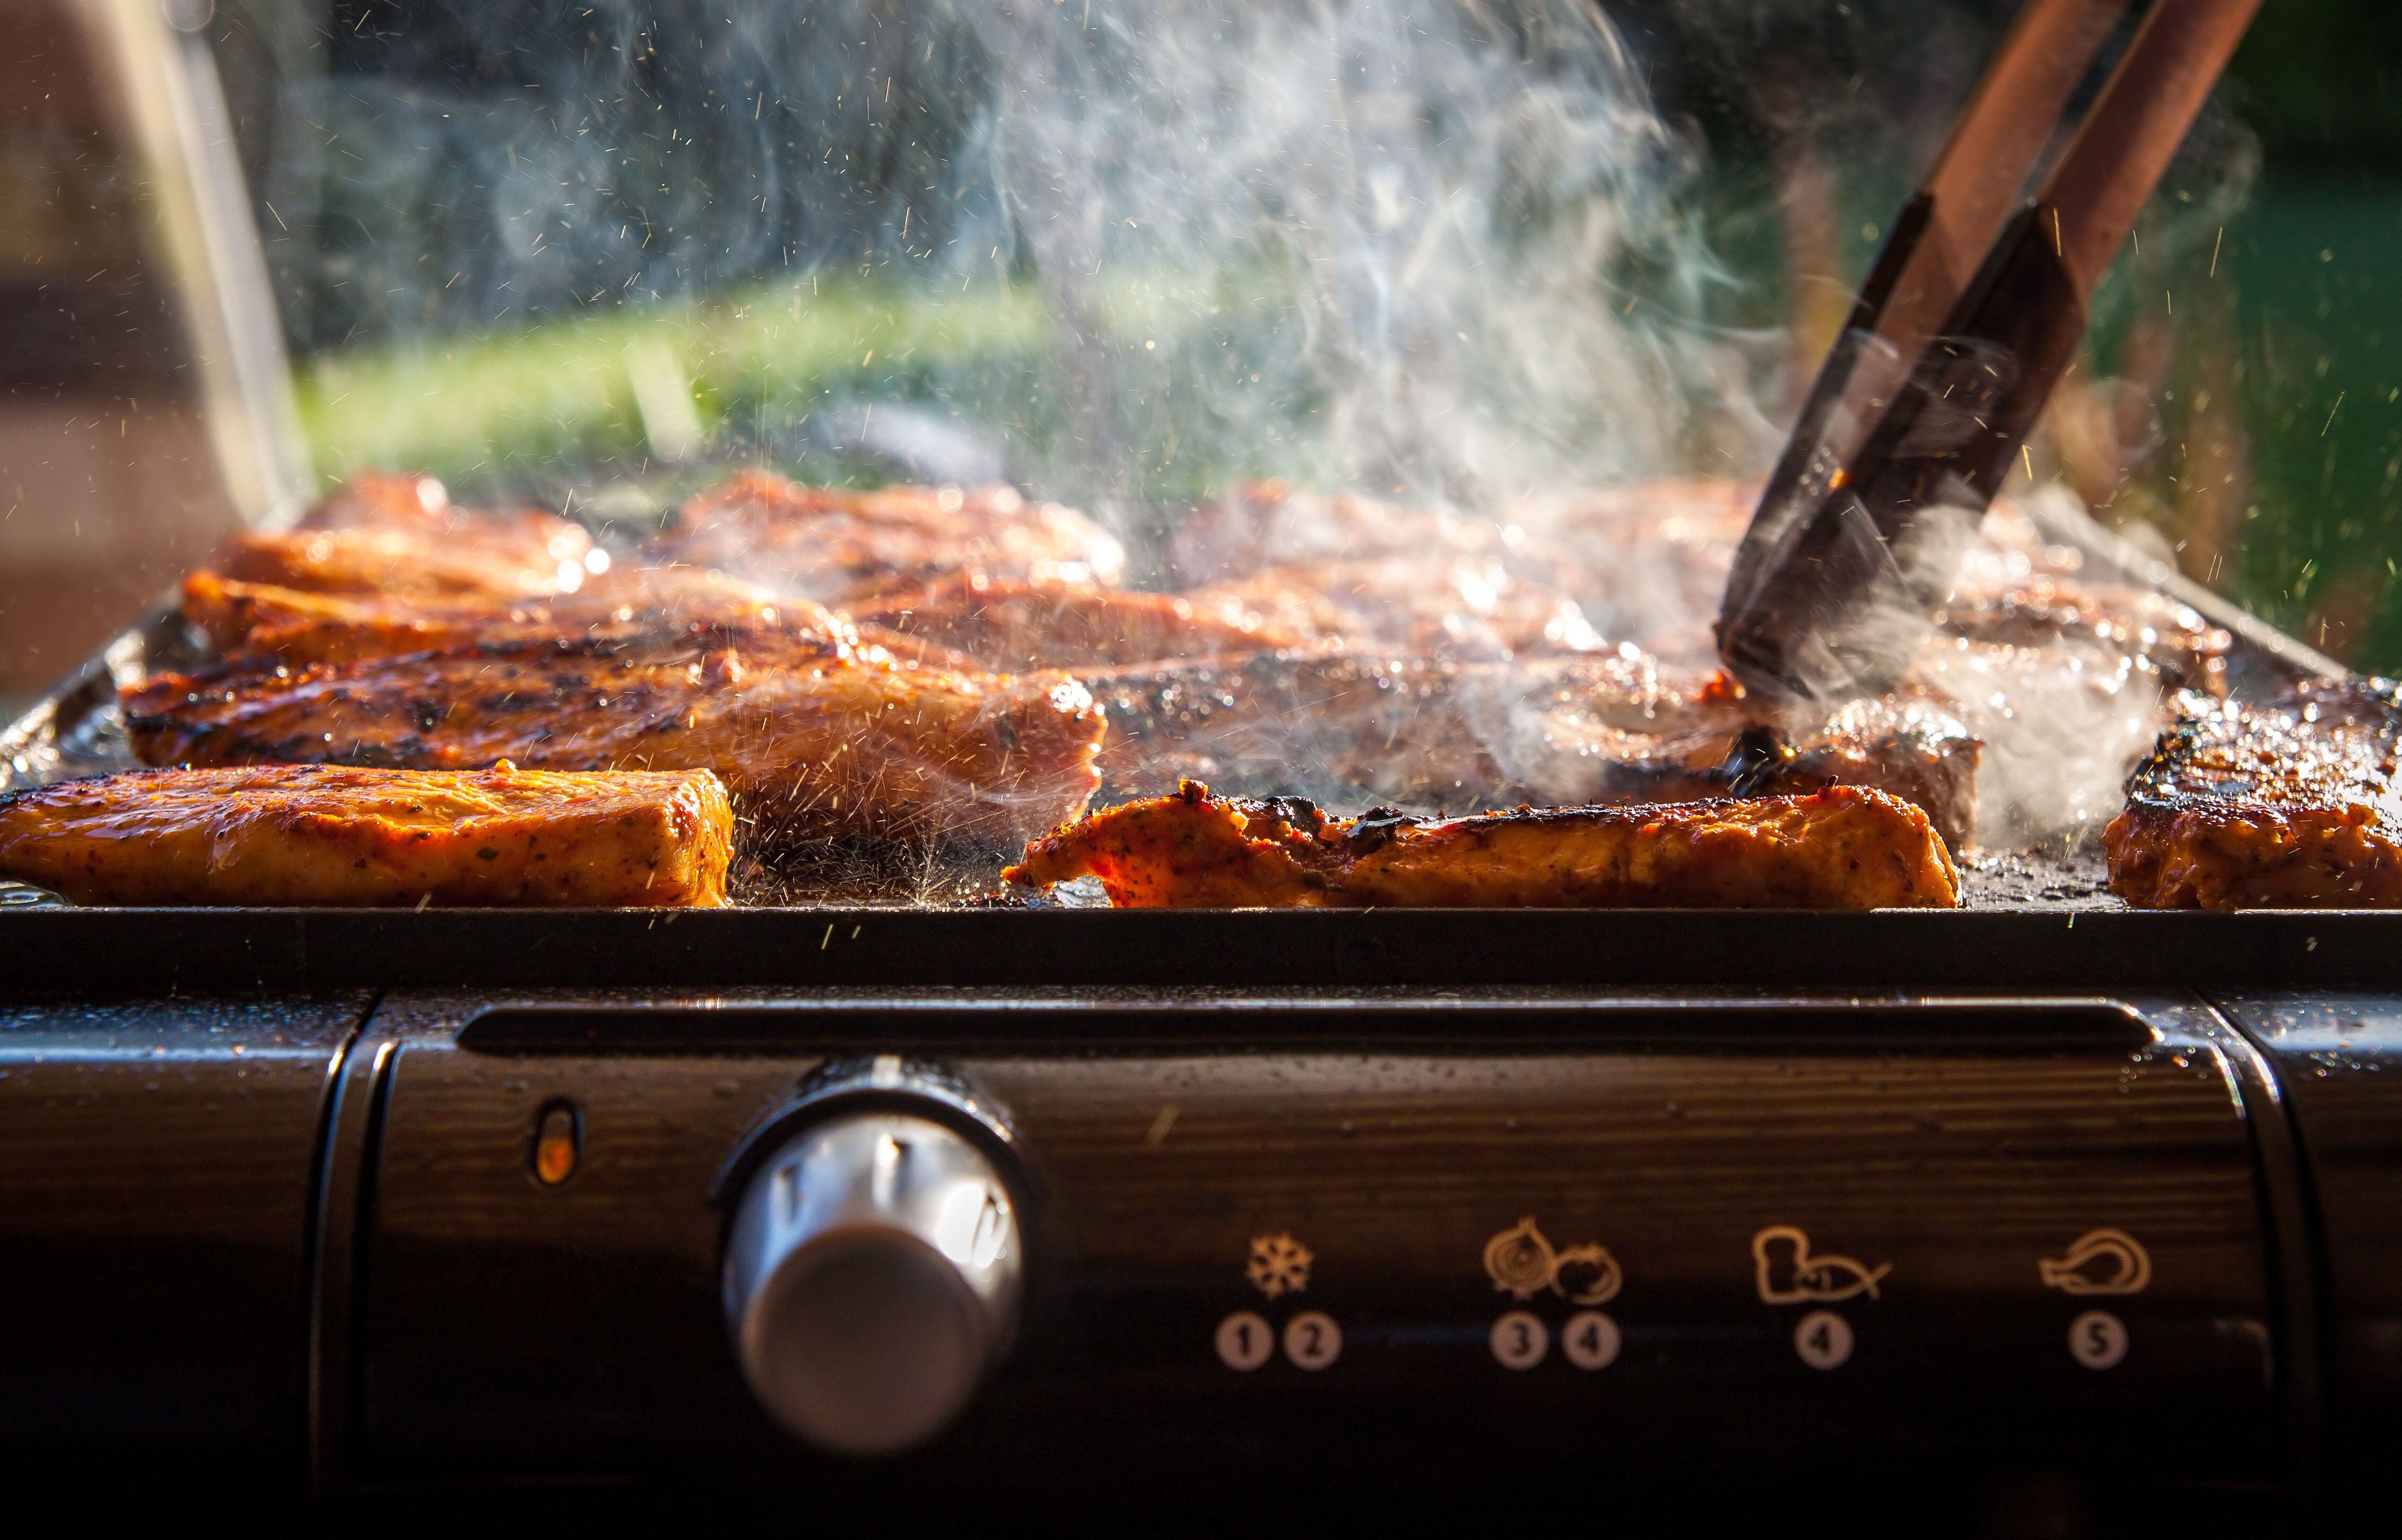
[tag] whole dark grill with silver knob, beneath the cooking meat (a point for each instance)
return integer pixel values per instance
(1099, 1200)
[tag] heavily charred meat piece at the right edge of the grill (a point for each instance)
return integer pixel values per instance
(2276, 806)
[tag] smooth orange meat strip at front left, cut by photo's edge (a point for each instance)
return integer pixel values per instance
(362, 837)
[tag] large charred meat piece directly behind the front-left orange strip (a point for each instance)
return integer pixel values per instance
(811, 746)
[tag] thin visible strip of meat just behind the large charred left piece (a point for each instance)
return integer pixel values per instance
(621, 607)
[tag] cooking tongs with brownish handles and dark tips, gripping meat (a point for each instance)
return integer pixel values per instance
(1968, 318)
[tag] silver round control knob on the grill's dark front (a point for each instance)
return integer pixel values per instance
(873, 1279)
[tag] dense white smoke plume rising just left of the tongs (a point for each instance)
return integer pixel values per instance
(1428, 249)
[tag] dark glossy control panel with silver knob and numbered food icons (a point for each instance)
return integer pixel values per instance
(1615, 1229)
